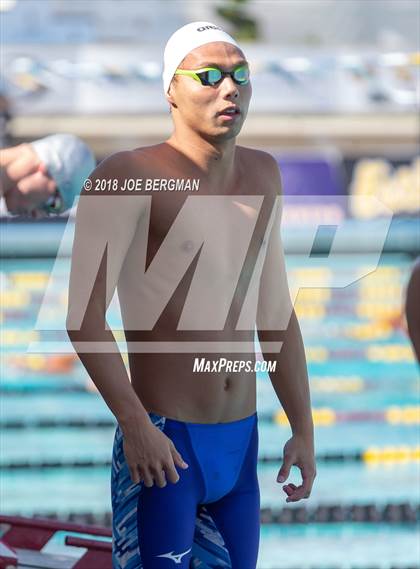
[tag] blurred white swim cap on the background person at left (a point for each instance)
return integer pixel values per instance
(69, 162)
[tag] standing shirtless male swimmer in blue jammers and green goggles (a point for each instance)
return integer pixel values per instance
(189, 271)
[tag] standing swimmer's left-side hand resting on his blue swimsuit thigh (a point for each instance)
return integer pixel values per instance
(151, 455)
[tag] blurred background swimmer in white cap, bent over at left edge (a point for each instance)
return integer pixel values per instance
(43, 177)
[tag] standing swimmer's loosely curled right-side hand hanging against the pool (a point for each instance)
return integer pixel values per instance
(299, 451)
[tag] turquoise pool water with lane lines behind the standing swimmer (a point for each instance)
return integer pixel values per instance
(331, 323)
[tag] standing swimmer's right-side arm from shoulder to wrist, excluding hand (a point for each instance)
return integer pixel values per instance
(277, 322)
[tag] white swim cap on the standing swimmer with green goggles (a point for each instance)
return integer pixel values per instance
(186, 39)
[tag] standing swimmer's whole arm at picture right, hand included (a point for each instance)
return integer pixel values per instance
(277, 322)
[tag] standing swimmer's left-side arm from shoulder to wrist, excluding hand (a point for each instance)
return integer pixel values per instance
(105, 226)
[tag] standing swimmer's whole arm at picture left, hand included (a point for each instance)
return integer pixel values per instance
(105, 226)
